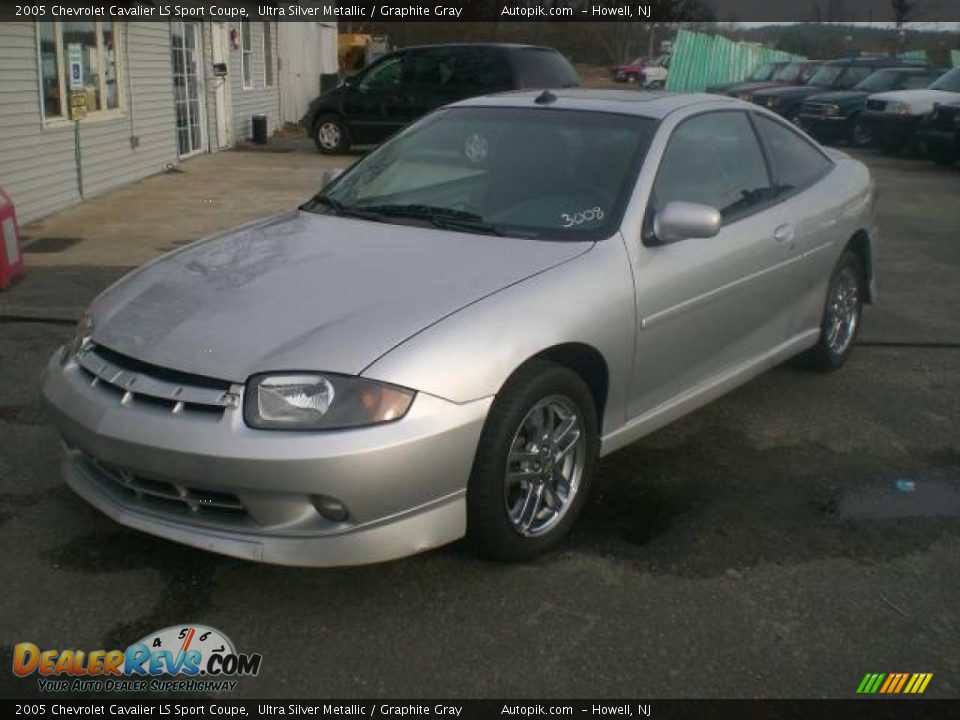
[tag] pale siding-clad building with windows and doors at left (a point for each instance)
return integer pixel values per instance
(88, 106)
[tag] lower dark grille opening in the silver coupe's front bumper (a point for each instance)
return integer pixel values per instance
(165, 495)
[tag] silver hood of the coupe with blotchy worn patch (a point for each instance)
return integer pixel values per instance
(307, 292)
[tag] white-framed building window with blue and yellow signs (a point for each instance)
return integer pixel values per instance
(79, 68)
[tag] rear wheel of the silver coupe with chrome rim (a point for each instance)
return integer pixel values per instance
(832, 351)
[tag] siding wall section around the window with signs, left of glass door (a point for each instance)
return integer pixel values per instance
(38, 162)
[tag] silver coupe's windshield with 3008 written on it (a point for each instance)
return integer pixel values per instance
(528, 172)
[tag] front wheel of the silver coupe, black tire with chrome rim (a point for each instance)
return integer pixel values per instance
(505, 485)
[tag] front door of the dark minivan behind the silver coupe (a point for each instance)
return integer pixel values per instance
(373, 102)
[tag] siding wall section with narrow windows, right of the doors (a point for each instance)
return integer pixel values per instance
(258, 99)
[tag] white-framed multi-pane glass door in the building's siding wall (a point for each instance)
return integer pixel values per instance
(187, 90)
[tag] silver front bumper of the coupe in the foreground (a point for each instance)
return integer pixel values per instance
(209, 481)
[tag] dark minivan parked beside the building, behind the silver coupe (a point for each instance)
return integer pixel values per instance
(406, 84)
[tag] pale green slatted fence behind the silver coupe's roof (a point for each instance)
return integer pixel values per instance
(700, 61)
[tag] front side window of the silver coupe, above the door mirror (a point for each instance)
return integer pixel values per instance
(714, 159)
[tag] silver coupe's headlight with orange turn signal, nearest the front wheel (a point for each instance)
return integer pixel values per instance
(305, 401)
